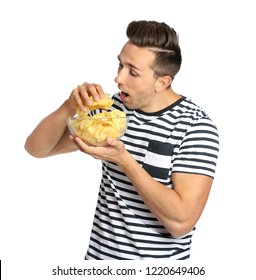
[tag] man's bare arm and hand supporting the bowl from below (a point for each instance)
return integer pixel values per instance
(179, 208)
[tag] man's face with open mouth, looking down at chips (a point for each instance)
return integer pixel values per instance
(136, 79)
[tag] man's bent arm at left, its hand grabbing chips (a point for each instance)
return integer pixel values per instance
(51, 136)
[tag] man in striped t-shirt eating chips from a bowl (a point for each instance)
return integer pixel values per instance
(157, 178)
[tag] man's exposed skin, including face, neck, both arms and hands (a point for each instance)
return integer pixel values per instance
(179, 208)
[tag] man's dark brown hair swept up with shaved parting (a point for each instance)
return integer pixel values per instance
(162, 40)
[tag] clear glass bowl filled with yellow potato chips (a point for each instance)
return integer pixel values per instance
(95, 129)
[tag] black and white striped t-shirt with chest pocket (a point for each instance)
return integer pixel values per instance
(179, 138)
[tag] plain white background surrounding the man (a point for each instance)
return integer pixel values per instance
(47, 49)
